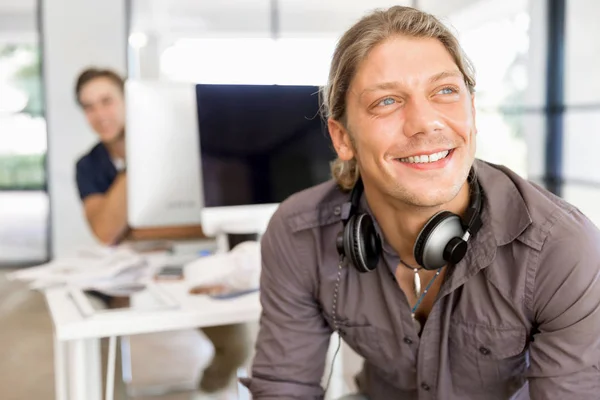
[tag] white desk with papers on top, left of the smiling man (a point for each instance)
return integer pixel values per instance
(77, 338)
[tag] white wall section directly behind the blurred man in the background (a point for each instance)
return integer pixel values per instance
(75, 35)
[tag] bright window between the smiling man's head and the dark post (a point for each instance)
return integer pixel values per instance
(496, 36)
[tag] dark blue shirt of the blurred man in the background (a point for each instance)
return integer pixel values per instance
(95, 172)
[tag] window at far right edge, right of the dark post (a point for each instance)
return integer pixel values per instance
(582, 108)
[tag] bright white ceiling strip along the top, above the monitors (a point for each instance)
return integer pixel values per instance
(177, 18)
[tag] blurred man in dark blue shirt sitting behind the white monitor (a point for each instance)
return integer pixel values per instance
(102, 184)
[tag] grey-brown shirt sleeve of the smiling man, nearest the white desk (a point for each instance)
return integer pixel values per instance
(294, 337)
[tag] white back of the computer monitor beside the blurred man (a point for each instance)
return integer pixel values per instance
(164, 182)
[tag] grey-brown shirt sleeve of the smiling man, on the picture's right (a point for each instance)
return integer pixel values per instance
(565, 351)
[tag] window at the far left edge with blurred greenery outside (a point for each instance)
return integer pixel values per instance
(24, 206)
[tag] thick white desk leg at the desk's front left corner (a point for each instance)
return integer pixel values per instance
(85, 381)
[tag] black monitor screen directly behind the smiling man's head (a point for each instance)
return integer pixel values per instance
(260, 143)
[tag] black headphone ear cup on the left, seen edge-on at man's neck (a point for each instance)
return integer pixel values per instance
(363, 245)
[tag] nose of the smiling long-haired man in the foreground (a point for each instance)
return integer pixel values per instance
(421, 117)
